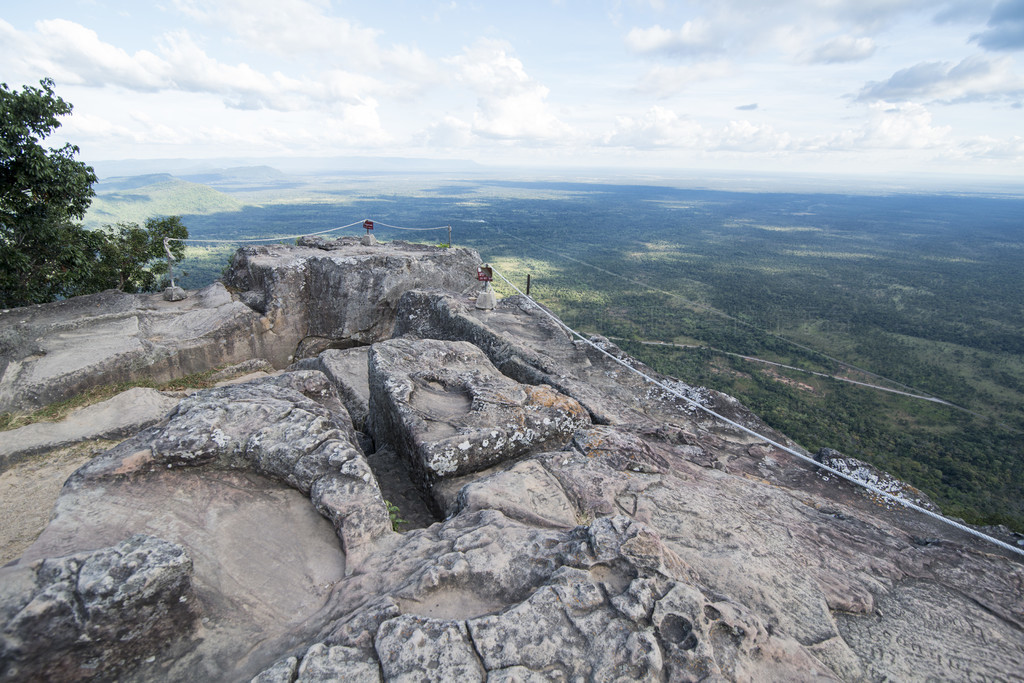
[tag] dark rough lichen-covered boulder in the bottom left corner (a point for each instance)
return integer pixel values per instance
(95, 615)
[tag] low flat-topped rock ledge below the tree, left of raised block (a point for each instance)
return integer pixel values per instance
(57, 351)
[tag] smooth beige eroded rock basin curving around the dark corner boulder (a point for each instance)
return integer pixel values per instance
(248, 537)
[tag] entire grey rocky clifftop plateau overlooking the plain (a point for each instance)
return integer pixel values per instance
(416, 489)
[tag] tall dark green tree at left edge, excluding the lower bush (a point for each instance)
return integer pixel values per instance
(45, 255)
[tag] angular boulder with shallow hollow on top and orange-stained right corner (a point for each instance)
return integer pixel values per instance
(448, 410)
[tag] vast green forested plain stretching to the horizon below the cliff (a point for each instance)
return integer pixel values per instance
(918, 292)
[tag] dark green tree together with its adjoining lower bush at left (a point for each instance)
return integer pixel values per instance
(46, 253)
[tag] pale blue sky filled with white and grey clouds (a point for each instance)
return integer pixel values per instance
(903, 87)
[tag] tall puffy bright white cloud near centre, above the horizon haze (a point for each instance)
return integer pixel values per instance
(510, 105)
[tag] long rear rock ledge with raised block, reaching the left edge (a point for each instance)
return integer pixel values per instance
(287, 303)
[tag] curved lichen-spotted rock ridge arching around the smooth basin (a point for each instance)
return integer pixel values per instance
(272, 429)
